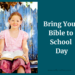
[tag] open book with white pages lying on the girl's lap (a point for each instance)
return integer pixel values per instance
(8, 55)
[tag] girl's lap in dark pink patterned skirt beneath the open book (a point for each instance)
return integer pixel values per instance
(11, 66)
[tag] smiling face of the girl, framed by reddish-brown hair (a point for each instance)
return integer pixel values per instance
(15, 21)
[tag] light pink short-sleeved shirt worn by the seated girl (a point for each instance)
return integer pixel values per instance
(13, 44)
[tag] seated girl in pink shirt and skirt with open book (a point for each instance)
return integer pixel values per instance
(12, 40)
